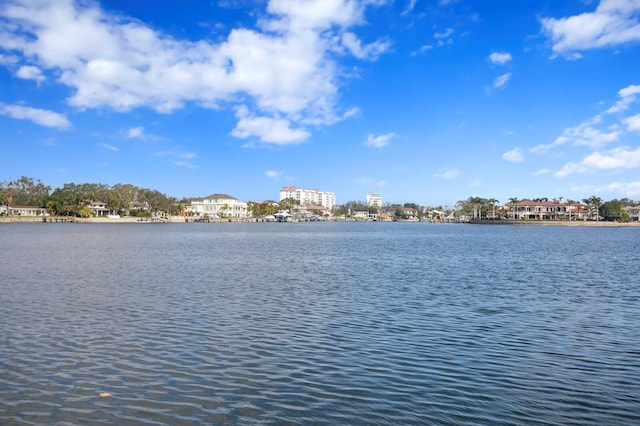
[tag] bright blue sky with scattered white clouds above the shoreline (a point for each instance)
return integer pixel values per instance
(422, 101)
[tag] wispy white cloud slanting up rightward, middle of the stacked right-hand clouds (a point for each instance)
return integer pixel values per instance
(583, 134)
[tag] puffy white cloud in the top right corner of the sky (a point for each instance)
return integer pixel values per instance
(614, 22)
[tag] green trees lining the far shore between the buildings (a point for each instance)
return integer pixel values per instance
(126, 199)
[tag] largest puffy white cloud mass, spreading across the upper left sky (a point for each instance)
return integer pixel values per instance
(285, 67)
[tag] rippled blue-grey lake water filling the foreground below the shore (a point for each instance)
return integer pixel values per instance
(319, 323)
